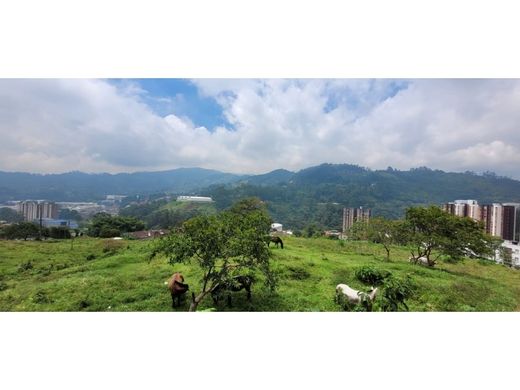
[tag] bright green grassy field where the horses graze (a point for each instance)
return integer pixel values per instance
(107, 275)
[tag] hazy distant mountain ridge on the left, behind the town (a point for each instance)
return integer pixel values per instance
(78, 186)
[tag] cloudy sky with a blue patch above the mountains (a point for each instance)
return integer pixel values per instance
(254, 126)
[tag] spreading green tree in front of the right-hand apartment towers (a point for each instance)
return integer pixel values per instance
(430, 228)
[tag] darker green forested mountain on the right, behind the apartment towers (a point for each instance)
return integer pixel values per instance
(317, 195)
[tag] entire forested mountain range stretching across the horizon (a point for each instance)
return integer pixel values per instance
(315, 194)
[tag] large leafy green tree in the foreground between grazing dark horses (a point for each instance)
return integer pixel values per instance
(223, 246)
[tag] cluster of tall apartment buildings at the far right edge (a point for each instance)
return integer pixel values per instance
(499, 219)
